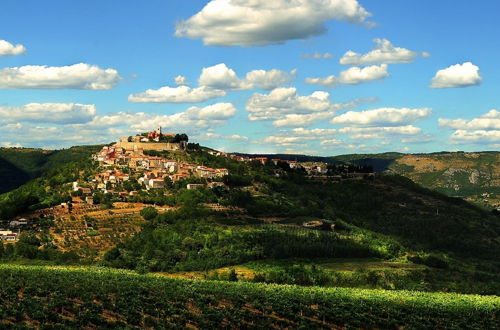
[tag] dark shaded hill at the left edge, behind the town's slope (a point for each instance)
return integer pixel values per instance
(19, 165)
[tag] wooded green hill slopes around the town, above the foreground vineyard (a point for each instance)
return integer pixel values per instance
(258, 215)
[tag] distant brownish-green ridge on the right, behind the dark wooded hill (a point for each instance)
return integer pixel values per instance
(471, 175)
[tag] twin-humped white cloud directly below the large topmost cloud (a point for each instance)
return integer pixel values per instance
(222, 77)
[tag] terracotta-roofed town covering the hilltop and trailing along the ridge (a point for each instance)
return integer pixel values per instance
(143, 170)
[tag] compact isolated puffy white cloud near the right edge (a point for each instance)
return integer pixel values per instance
(458, 75)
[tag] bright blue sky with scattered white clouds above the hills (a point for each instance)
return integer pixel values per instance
(254, 75)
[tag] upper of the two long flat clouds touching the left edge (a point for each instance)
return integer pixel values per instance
(77, 76)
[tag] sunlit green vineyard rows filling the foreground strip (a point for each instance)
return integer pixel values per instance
(94, 297)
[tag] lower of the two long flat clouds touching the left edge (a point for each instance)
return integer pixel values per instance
(58, 113)
